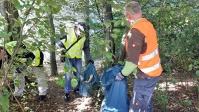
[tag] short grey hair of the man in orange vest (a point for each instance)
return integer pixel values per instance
(133, 8)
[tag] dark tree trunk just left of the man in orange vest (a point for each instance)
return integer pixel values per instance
(107, 30)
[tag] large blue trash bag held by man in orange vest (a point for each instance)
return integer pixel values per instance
(116, 98)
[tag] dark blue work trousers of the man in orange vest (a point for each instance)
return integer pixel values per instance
(143, 89)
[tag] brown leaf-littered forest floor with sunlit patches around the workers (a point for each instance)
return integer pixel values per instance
(180, 97)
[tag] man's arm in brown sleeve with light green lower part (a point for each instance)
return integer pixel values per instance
(135, 47)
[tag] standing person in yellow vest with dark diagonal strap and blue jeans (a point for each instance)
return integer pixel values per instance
(74, 55)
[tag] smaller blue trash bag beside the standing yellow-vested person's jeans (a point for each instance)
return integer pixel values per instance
(86, 87)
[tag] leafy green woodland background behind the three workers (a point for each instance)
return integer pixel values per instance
(176, 23)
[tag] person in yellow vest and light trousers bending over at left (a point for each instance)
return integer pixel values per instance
(27, 56)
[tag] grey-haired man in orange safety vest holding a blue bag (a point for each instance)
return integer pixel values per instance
(142, 59)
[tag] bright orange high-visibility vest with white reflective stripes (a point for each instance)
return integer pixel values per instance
(149, 61)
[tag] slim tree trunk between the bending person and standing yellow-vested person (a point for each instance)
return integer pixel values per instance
(53, 63)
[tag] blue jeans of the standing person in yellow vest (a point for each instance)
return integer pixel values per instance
(77, 64)
